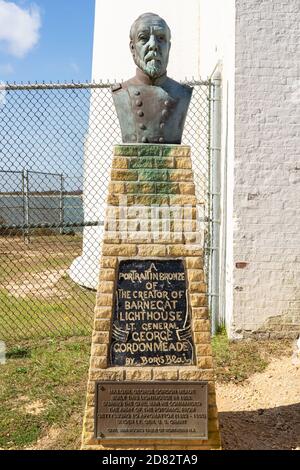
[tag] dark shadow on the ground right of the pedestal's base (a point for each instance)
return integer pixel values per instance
(272, 428)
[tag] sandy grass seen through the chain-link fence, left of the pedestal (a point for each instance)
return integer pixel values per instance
(29, 307)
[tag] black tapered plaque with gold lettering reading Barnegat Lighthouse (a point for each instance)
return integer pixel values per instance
(151, 323)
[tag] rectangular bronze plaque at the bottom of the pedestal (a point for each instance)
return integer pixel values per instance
(151, 410)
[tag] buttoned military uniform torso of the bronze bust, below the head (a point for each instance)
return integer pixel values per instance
(151, 111)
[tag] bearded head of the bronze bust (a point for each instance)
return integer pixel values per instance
(150, 44)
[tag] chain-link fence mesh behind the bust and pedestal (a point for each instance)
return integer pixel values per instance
(55, 152)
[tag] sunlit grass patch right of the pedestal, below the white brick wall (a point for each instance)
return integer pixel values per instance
(235, 361)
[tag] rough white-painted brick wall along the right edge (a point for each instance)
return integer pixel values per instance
(267, 170)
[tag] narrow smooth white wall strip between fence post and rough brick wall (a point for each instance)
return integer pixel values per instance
(217, 46)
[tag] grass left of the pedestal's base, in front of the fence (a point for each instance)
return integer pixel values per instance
(42, 388)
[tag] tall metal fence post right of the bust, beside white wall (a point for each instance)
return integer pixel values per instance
(215, 201)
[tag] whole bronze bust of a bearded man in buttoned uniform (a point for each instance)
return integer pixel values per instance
(151, 107)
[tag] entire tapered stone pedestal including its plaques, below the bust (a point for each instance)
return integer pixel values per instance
(151, 216)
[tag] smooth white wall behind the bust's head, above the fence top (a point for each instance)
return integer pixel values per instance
(112, 57)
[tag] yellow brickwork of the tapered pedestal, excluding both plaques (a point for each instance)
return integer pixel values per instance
(151, 214)
